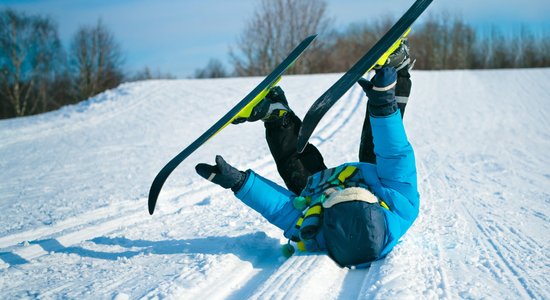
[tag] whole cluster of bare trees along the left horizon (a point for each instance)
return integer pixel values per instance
(37, 74)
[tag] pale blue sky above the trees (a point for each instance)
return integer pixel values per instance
(181, 36)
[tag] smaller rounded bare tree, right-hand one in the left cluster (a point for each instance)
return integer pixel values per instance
(96, 59)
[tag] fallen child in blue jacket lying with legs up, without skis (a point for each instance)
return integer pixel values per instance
(357, 211)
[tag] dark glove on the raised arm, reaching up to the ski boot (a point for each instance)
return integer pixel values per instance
(381, 92)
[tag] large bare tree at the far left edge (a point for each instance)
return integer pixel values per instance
(30, 54)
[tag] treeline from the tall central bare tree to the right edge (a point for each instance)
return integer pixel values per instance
(437, 42)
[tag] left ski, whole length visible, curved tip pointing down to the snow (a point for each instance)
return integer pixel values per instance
(273, 77)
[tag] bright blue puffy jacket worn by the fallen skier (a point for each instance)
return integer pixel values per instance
(392, 179)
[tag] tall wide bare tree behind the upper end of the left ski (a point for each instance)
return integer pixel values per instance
(276, 27)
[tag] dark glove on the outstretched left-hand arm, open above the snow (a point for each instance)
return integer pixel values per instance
(222, 173)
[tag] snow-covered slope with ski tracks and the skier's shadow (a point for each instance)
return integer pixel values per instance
(74, 184)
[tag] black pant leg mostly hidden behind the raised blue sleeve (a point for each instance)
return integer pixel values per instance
(402, 92)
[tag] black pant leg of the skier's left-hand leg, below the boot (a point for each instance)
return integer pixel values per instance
(294, 167)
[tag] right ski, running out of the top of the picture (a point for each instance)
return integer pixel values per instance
(338, 89)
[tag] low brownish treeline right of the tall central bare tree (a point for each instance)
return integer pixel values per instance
(443, 43)
